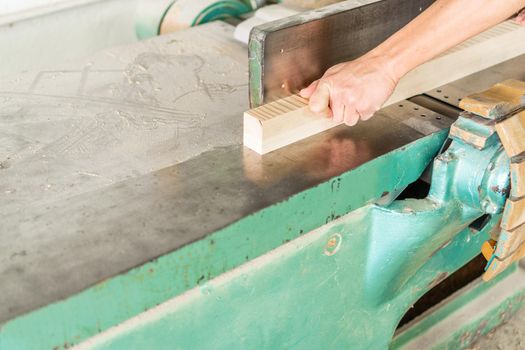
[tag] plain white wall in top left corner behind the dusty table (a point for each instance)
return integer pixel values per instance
(35, 34)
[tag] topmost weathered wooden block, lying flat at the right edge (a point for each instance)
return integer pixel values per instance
(498, 101)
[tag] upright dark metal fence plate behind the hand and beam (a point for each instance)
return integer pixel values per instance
(287, 54)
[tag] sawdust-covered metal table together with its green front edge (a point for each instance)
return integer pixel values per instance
(124, 181)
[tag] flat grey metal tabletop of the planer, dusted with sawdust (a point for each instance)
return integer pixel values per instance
(136, 152)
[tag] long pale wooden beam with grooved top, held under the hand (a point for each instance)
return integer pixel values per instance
(286, 121)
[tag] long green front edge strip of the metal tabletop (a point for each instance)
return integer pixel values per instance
(59, 325)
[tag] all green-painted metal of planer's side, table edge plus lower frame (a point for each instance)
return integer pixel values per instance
(344, 284)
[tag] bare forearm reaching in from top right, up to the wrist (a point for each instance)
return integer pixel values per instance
(443, 25)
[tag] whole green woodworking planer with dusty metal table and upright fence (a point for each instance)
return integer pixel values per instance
(133, 216)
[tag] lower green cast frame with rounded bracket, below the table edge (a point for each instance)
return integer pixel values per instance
(345, 285)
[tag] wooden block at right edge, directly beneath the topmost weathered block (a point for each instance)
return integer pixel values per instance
(510, 132)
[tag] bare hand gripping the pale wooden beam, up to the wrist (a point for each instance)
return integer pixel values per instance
(352, 90)
